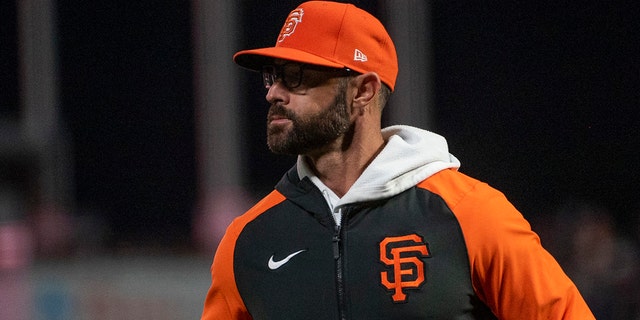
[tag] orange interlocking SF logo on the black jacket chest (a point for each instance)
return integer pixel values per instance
(402, 255)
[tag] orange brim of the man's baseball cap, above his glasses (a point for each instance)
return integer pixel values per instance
(255, 59)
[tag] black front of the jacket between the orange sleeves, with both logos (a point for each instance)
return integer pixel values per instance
(403, 258)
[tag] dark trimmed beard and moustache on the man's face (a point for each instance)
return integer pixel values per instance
(311, 132)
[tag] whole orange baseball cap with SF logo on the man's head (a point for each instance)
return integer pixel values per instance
(330, 34)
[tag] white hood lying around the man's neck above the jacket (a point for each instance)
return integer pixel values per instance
(409, 156)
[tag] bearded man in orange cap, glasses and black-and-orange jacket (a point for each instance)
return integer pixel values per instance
(370, 223)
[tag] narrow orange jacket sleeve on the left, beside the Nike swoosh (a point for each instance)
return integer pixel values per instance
(223, 301)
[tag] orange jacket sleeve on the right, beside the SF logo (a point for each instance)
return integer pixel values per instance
(511, 271)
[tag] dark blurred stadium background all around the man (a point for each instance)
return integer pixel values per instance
(128, 139)
